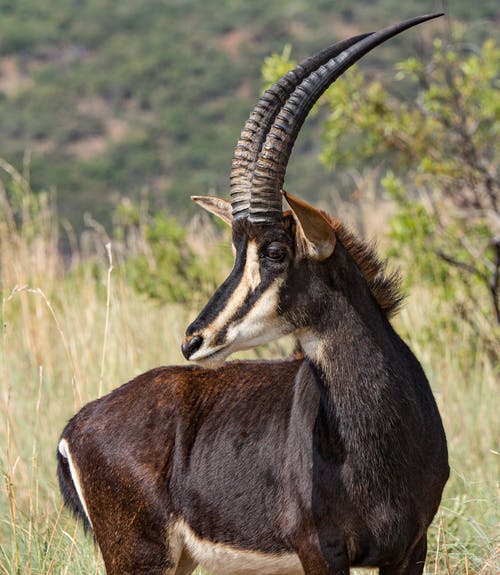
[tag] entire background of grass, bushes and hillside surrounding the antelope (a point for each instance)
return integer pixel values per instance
(415, 147)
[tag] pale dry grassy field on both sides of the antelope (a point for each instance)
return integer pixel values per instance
(72, 331)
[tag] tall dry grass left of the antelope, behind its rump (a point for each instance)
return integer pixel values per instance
(67, 337)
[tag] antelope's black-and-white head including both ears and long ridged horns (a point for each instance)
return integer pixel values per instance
(270, 291)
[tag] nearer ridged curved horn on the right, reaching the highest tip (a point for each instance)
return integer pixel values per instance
(269, 173)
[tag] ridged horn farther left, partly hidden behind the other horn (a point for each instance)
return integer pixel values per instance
(260, 121)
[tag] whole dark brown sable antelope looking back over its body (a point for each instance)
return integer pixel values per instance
(306, 466)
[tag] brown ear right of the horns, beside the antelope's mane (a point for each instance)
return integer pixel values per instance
(316, 232)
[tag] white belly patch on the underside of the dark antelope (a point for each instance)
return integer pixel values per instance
(228, 560)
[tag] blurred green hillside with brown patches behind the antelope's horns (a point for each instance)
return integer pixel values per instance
(102, 99)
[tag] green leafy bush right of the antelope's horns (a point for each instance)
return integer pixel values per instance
(441, 154)
